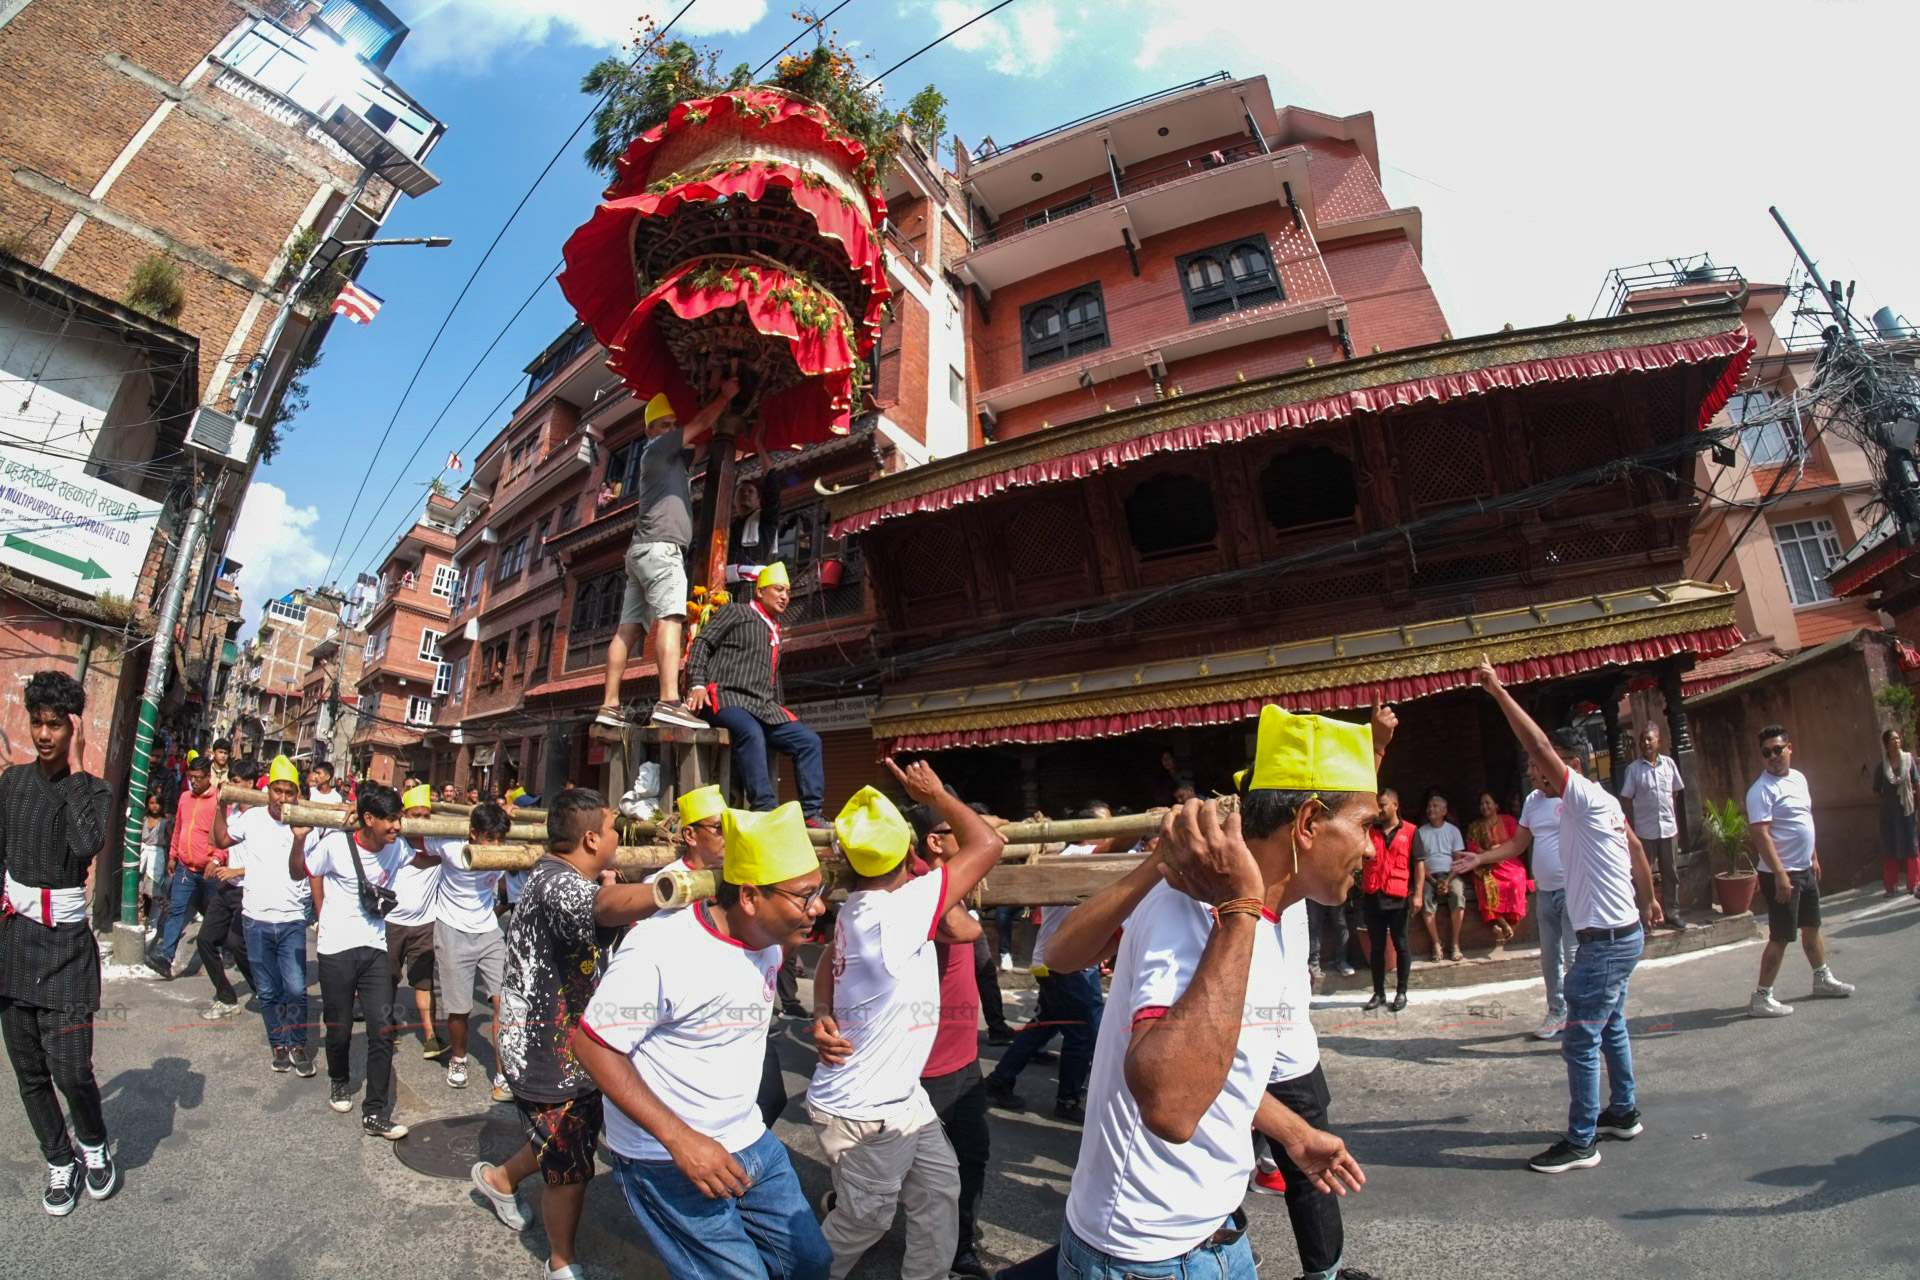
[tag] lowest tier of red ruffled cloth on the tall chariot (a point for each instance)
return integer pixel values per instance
(804, 414)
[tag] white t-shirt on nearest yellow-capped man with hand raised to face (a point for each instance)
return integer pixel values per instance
(1138, 1197)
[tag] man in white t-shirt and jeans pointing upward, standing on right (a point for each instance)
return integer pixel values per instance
(1610, 895)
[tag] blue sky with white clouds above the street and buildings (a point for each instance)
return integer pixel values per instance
(1545, 147)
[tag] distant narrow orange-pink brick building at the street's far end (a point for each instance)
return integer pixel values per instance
(404, 678)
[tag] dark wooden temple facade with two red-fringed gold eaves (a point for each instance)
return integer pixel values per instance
(1061, 609)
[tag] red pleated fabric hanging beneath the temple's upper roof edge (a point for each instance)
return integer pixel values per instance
(1735, 348)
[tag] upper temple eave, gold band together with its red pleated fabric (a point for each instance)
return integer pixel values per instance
(1310, 398)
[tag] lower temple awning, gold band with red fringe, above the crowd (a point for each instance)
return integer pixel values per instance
(1543, 642)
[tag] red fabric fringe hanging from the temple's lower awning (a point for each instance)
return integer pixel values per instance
(1704, 644)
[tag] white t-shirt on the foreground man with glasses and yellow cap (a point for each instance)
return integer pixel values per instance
(690, 1008)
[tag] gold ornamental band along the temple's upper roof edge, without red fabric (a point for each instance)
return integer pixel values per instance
(1291, 389)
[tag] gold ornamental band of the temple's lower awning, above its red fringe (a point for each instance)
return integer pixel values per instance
(1548, 642)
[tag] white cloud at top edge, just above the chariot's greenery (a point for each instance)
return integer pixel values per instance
(452, 34)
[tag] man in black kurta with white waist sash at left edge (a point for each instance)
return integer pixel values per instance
(55, 820)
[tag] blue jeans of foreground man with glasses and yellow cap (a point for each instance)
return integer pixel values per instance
(765, 1235)
